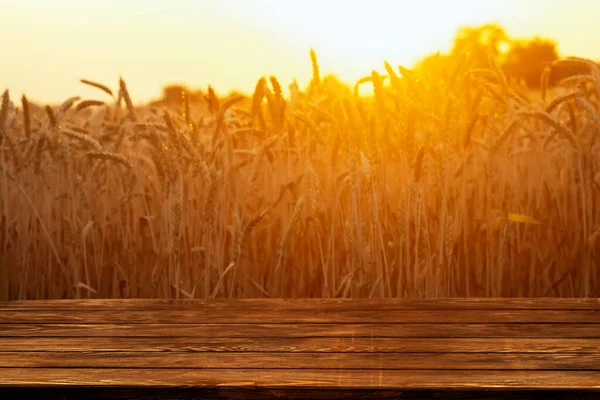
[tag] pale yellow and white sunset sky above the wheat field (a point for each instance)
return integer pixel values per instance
(46, 46)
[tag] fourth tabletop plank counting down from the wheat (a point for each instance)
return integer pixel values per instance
(296, 345)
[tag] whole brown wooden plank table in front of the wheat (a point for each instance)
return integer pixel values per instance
(303, 348)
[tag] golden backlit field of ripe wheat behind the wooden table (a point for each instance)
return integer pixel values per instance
(446, 181)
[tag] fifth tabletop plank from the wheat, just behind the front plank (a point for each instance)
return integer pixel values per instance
(300, 361)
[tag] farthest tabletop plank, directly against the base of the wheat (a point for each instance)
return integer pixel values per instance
(327, 305)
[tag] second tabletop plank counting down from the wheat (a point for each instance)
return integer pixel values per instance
(317, 315)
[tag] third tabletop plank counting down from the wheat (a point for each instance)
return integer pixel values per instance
(564, 330)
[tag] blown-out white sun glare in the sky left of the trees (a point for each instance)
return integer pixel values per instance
(354, 37)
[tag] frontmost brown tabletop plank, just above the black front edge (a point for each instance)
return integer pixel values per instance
(307, 378)
